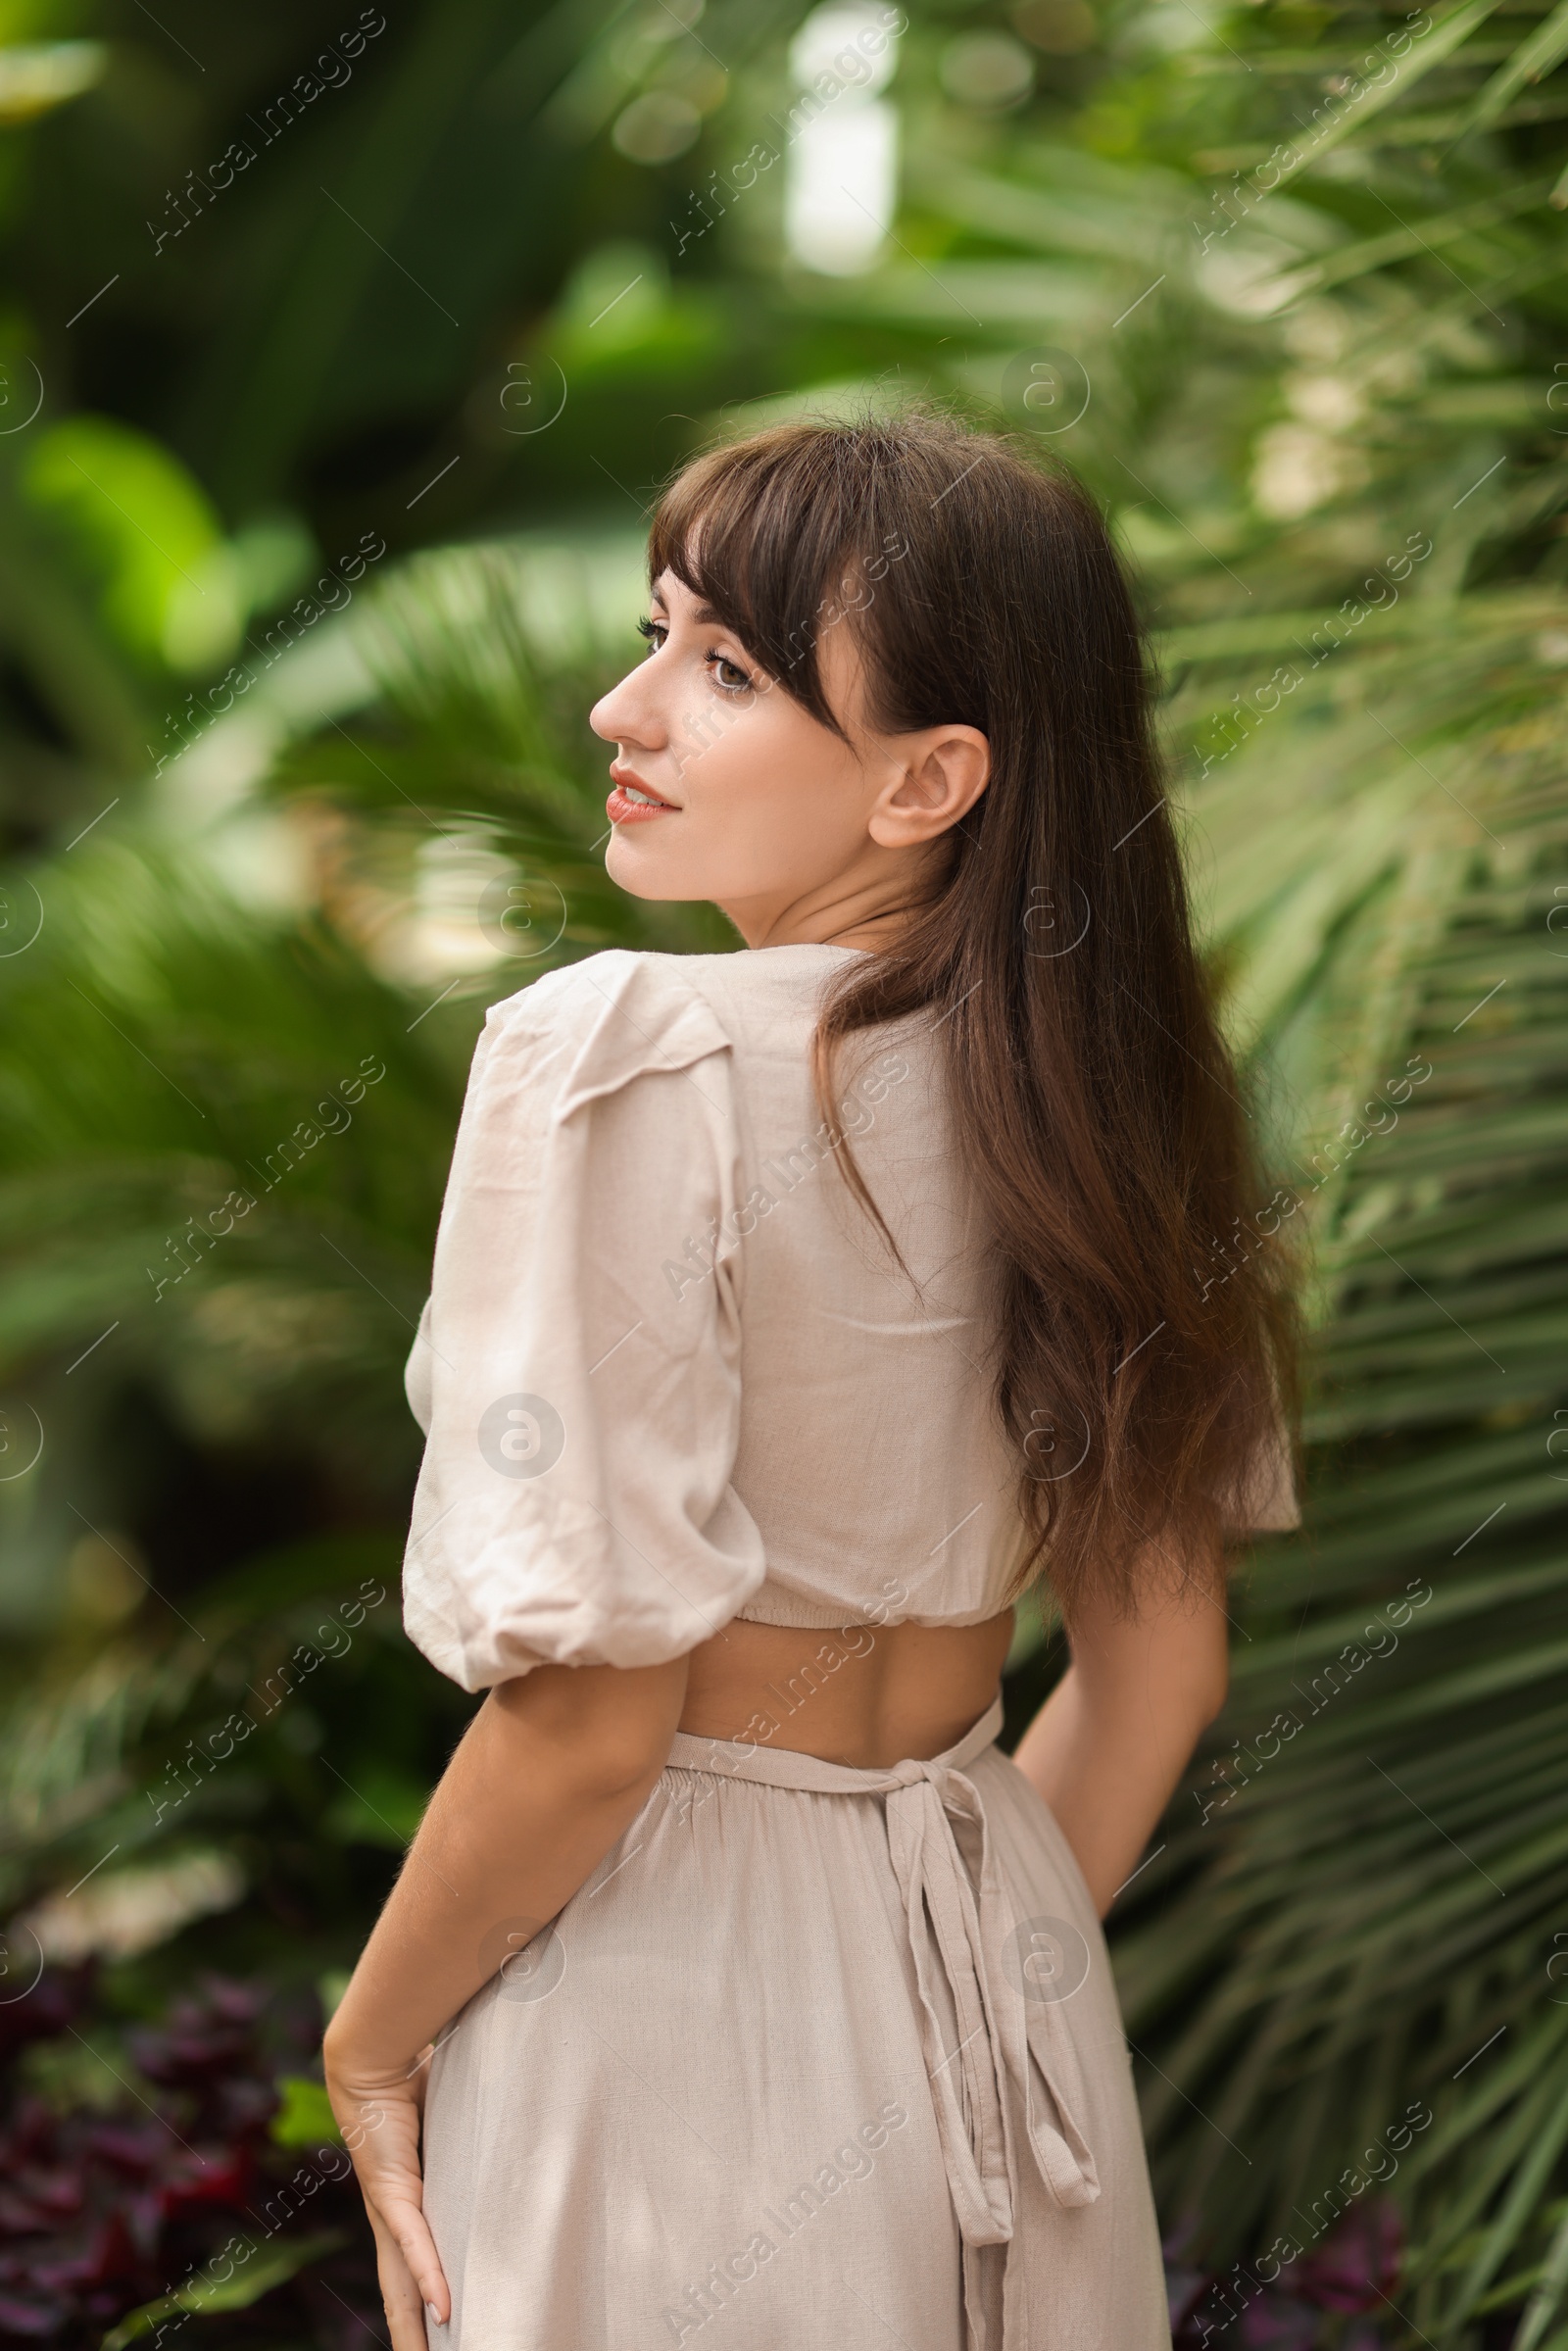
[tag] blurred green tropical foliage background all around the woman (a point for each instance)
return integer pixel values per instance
(342, 356)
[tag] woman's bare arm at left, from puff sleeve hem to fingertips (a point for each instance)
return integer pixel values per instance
(551, 1771)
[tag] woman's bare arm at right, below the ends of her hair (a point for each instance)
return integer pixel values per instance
(1118, 1732)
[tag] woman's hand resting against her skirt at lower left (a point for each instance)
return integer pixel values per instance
(382, 2119)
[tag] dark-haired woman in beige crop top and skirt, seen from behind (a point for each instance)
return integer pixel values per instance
(791, 1311)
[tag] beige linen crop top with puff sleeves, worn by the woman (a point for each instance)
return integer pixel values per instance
(669, 1372)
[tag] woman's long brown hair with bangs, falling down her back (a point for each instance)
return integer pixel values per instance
(1097, 1108)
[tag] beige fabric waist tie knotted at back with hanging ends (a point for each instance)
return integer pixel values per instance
(986, 2098)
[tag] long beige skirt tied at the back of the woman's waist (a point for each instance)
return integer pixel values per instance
(817, 2061)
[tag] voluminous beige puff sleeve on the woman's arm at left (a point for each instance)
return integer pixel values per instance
(577, 1384)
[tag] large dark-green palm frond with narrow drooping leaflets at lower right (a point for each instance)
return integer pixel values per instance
(1372, 1870)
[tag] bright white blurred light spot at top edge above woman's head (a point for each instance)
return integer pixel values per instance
(843, 159)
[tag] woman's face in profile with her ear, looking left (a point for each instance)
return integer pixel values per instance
(725, 789)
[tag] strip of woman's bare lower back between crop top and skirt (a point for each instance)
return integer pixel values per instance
(864, 1694)
